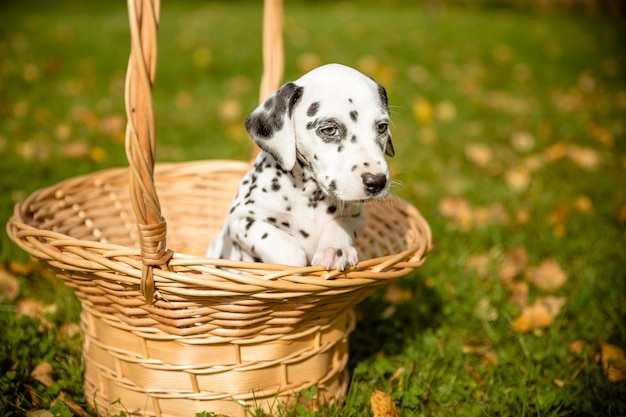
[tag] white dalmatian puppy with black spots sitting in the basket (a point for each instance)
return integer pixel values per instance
(323, 139)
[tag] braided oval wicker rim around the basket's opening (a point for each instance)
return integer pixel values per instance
(256, 276)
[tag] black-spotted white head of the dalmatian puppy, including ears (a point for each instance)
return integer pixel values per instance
(336, 121)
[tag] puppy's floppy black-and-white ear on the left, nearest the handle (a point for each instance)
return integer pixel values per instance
(271, 127)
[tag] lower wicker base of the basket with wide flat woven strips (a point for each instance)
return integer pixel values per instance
(134, 378)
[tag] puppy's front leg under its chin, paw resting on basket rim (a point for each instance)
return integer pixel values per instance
(335, 249)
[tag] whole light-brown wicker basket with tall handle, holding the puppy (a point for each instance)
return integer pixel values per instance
(169, 332)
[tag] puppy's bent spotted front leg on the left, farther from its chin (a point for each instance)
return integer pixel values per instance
(264, 242)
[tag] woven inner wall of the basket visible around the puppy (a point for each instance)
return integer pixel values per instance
(194, 199)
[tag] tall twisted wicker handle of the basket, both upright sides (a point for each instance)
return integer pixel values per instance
(141, 127)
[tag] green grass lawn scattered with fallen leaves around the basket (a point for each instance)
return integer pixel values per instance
(482, 76)
